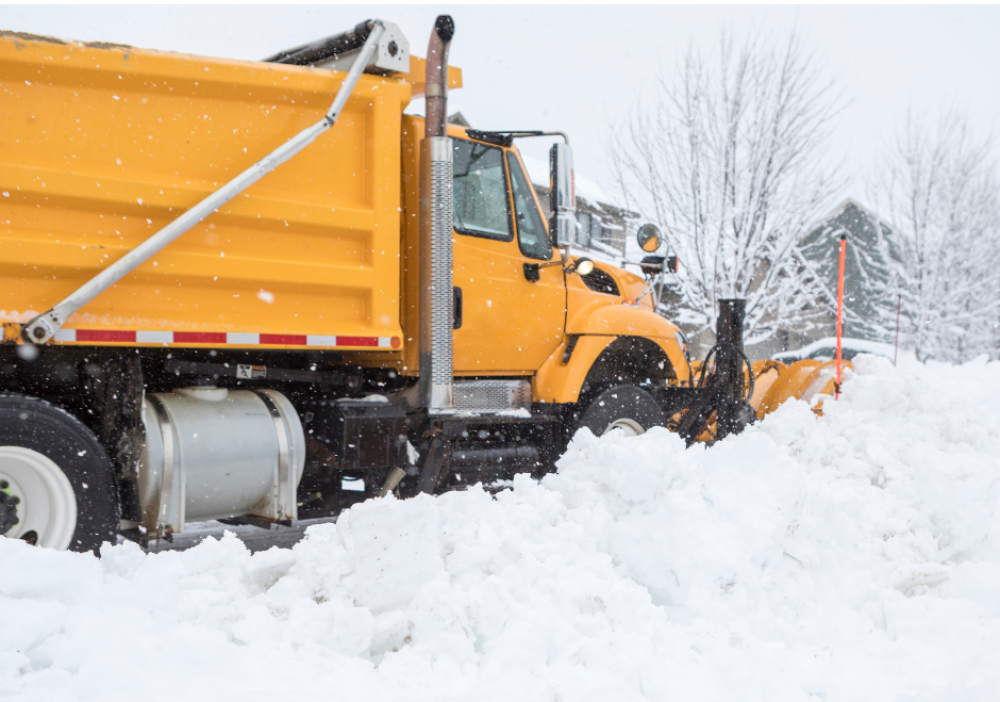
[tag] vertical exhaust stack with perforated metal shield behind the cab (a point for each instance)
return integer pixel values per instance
(436, 295)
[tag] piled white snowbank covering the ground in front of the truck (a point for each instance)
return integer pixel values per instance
(850, 557)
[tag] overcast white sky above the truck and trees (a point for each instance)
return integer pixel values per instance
(581, 71)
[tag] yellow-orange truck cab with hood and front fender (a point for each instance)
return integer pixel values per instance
(516, 312)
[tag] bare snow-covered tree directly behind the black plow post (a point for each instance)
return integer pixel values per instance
(730, 161)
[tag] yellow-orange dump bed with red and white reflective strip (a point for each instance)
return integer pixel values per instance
(102, 145)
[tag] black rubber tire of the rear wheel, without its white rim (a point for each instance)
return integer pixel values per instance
(36, 425)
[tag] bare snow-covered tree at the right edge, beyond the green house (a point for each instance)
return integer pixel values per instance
(939, 189)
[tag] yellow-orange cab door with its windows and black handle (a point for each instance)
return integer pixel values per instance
(509, 324)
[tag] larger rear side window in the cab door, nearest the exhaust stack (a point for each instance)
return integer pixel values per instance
(481, 206)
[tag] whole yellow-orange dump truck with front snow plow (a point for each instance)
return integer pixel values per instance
(260, 292)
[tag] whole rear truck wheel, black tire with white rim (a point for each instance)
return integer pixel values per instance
(59, 481)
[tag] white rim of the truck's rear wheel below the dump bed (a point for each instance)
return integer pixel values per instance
(47, 502)
